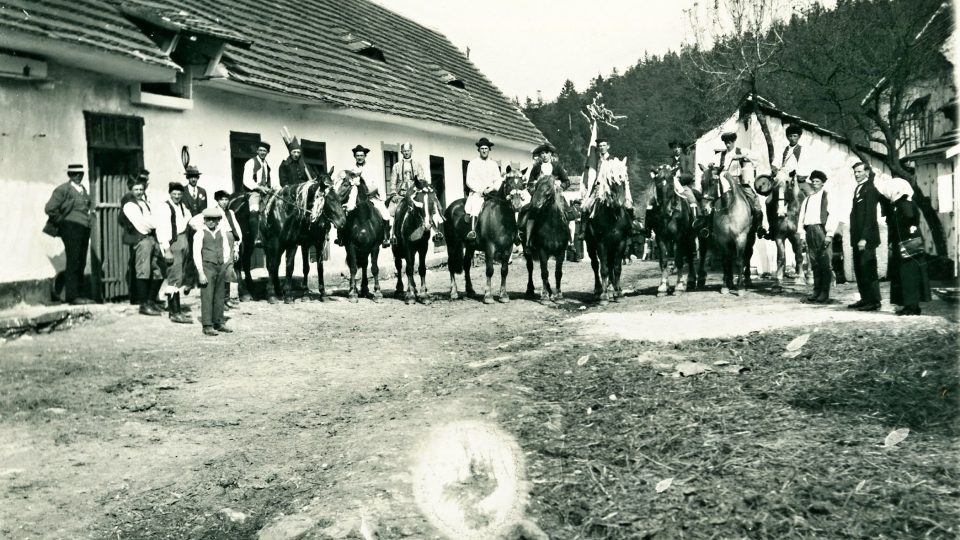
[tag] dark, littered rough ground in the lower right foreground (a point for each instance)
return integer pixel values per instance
(790, 448)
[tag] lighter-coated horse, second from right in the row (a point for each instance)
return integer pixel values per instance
(733, 228)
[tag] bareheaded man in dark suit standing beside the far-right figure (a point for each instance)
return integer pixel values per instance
(865, 237)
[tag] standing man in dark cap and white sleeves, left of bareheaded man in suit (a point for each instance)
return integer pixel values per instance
(817, 226)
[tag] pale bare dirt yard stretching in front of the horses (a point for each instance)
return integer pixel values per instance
(310, 419)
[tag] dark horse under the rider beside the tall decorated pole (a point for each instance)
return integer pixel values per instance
(607, 229)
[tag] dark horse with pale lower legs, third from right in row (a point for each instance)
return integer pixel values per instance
(675, 234)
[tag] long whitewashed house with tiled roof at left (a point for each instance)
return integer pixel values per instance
(124, 85)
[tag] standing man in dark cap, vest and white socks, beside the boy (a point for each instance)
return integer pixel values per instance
(171, 221)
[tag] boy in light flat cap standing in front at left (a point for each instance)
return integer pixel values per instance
(212, 256)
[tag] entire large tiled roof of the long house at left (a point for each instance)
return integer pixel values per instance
(309, 49)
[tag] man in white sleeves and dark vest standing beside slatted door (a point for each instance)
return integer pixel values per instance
(137, 222)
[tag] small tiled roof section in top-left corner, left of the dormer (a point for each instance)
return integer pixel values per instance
(93, 24)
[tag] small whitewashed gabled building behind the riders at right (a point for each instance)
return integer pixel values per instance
(833, 157)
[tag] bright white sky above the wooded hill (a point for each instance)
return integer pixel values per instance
(526, 46)
